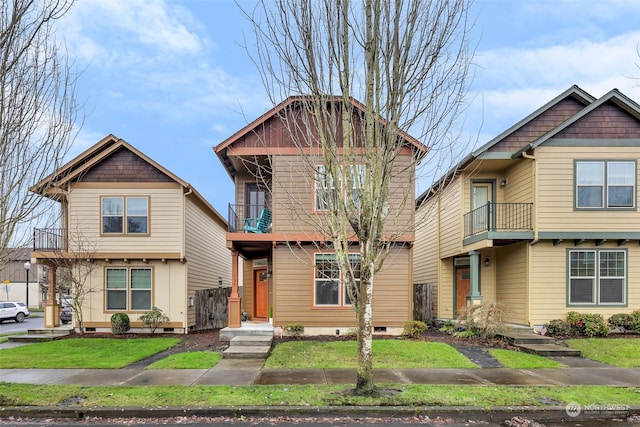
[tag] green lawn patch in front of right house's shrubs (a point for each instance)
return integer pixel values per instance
(622, 352)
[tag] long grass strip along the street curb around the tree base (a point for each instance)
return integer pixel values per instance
(415, 395)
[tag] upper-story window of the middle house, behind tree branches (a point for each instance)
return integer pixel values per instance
(327, 191)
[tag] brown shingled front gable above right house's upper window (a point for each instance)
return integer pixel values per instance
(607, 121)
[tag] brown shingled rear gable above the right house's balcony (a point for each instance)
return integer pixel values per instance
(537, 127)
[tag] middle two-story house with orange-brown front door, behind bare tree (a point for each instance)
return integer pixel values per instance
(290, 270)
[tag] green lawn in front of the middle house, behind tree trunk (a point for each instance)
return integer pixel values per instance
(386, 354)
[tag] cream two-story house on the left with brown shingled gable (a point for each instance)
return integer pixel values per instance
(153, 240)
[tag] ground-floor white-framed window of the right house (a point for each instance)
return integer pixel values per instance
(597, 277)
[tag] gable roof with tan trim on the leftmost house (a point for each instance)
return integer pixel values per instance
(101, 151)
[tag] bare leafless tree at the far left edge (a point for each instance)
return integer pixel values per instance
(38, 109)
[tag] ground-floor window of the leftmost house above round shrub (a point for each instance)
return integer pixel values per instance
(128, 288)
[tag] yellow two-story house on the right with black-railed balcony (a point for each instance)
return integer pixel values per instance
(543, 218)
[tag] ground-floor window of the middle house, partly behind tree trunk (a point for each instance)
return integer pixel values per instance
(329, 283)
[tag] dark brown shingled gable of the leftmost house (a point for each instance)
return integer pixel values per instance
(124, 166)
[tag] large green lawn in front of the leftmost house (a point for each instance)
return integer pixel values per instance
(100, 353)
